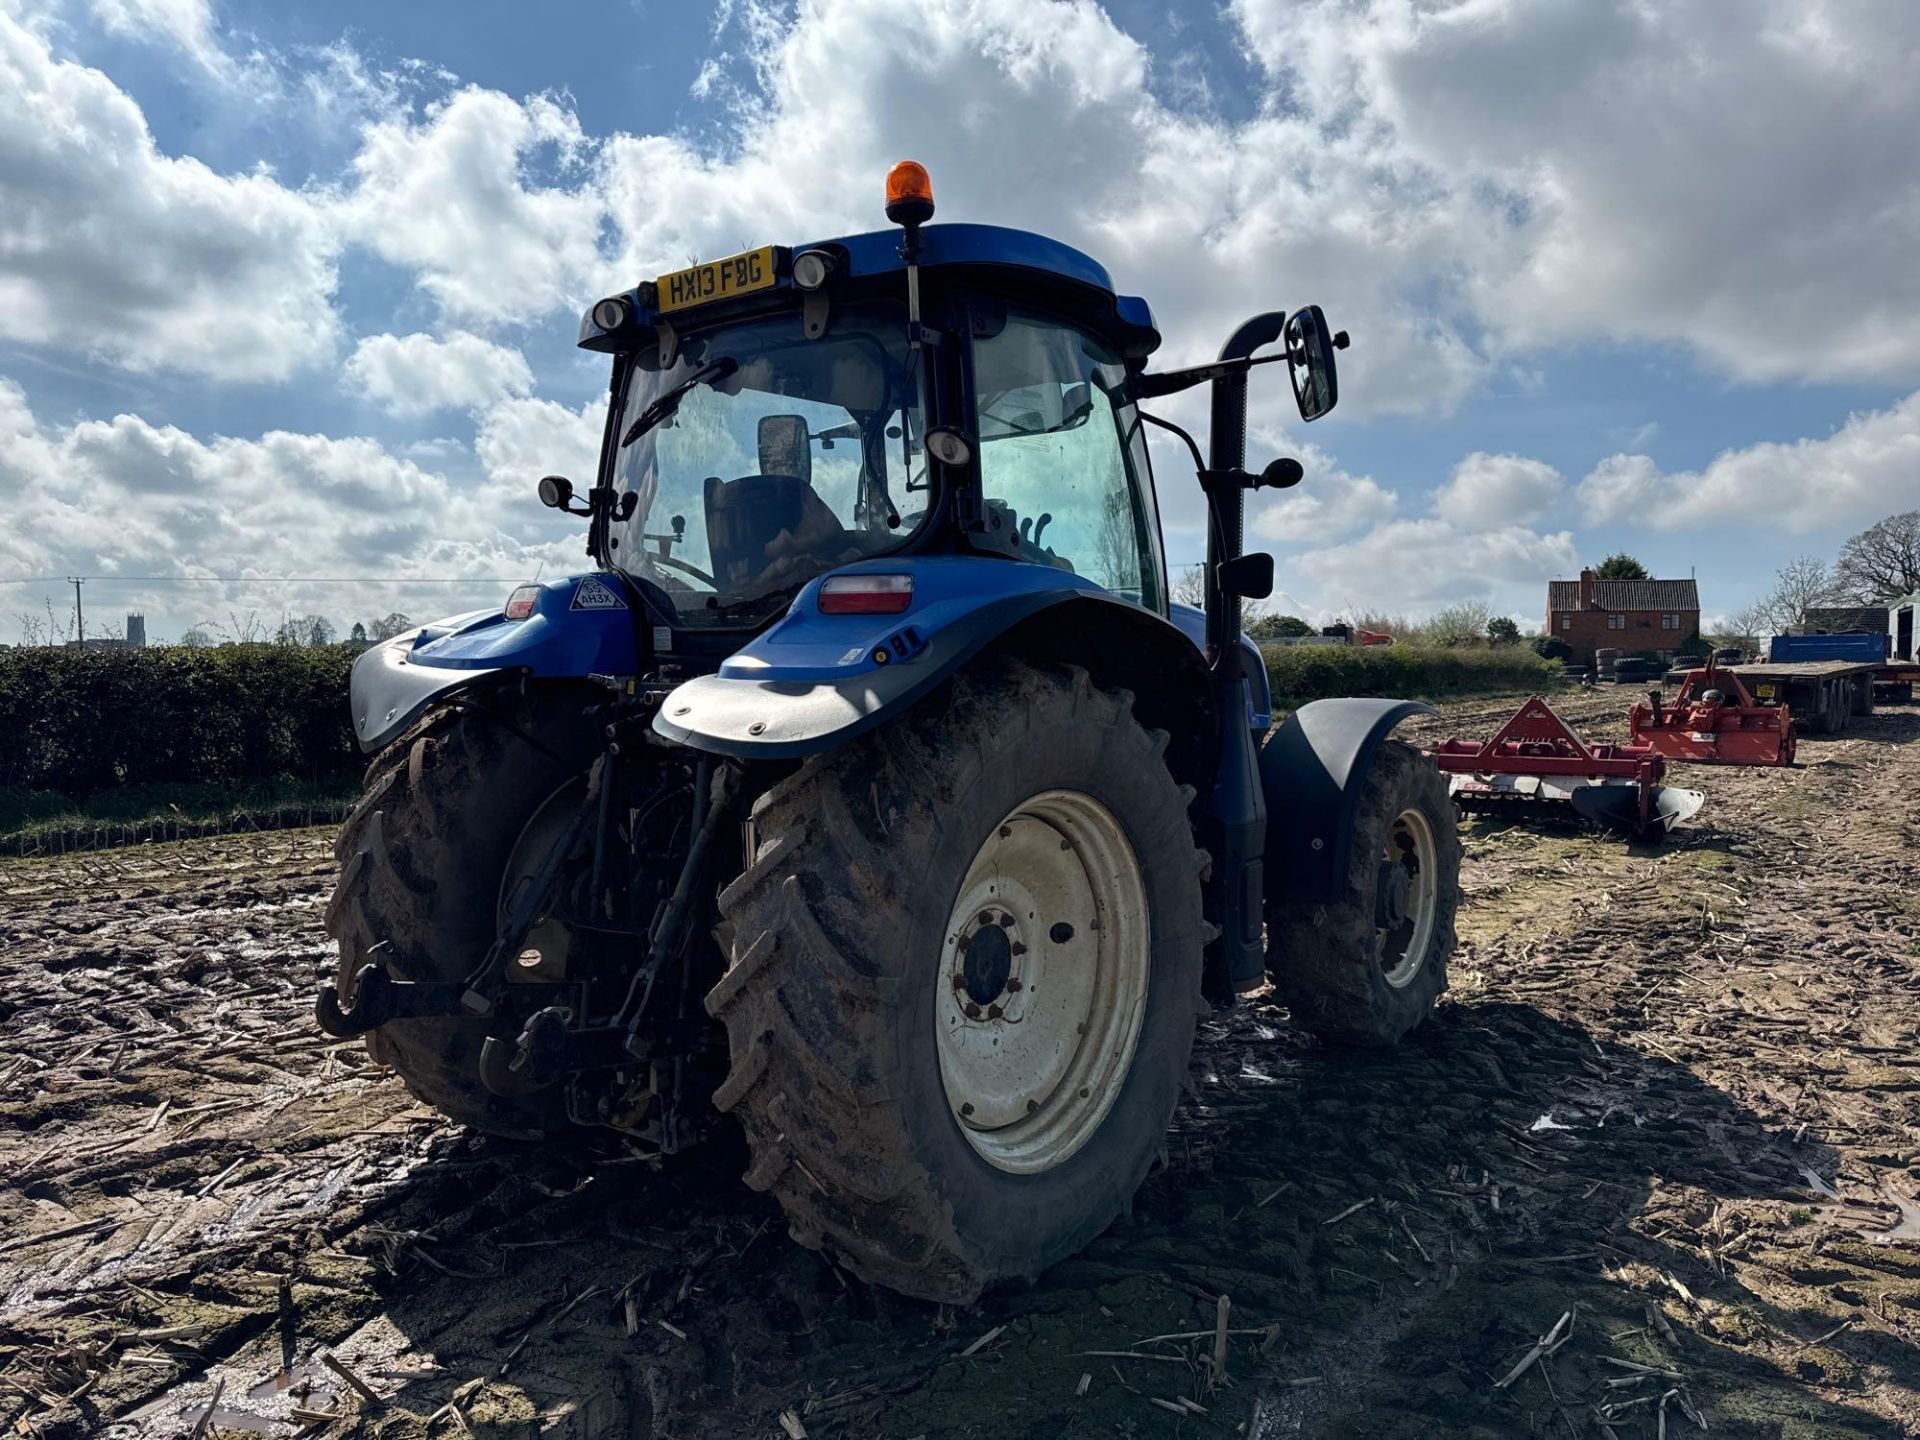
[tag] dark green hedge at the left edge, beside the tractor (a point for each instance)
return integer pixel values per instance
(82, 721)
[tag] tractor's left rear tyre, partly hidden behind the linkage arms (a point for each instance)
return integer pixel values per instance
(421, 865)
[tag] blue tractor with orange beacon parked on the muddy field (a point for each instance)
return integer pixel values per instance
(871, 788)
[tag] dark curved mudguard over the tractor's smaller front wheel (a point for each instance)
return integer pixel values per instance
(1312, 775)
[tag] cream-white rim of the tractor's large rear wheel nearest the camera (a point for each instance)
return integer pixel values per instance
(1044, 982)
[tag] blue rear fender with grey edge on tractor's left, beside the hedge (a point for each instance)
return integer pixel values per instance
(579, 627)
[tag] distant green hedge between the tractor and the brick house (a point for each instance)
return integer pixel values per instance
(1314, 673)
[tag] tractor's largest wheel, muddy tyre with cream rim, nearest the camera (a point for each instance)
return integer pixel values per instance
(965, 971)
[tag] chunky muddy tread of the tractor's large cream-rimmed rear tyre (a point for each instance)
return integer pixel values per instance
(809, 978)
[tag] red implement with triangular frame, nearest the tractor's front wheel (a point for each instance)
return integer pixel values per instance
(1537, 757)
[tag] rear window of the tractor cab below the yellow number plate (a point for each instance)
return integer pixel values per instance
(800, 458)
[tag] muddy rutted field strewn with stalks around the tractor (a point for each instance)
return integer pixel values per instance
(1652, 1170)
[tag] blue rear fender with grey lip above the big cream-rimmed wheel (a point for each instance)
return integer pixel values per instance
(817, 681)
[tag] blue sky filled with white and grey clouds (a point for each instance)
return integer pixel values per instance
(289, 293)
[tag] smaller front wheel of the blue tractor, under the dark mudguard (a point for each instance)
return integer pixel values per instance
(1370, 967)
